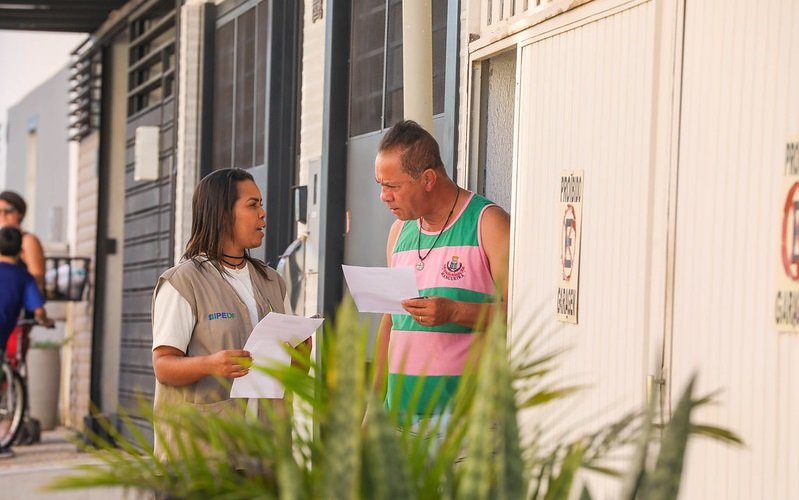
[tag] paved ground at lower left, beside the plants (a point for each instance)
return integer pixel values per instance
(23, 476)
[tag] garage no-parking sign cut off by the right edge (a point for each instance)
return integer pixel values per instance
(786, 302)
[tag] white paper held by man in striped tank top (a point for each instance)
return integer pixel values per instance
(381, 289)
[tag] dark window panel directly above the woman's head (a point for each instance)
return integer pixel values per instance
(239, 89)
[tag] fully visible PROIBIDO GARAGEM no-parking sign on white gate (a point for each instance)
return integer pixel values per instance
(570, 223)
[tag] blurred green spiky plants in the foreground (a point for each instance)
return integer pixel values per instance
(361, 450)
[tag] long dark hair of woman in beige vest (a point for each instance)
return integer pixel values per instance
(212, 217)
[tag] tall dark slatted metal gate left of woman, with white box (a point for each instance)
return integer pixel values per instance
(149, 199)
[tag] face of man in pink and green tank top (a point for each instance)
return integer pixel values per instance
(403, 194)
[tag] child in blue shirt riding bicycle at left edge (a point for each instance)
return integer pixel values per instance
(18, 292)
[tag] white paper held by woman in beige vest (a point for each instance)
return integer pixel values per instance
(267, 348)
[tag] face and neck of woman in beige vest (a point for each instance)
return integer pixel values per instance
(248, 219)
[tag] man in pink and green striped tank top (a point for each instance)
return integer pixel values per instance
(457, 242)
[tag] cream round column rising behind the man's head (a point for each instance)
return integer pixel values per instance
(417, 61)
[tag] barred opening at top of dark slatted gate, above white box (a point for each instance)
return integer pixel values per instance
(151, 70)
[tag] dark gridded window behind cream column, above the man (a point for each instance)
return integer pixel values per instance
(376, 99)
